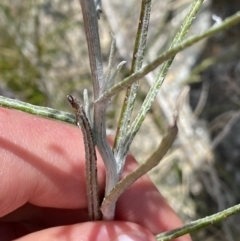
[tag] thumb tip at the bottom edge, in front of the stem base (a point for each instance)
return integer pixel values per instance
(93, 231)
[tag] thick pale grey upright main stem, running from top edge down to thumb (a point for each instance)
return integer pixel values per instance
(99, 126)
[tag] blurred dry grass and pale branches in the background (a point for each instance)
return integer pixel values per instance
(43, 57)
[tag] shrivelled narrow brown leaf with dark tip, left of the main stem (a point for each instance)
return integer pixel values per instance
(90, 158)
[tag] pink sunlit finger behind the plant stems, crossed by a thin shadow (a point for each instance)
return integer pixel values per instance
(46, 165)
